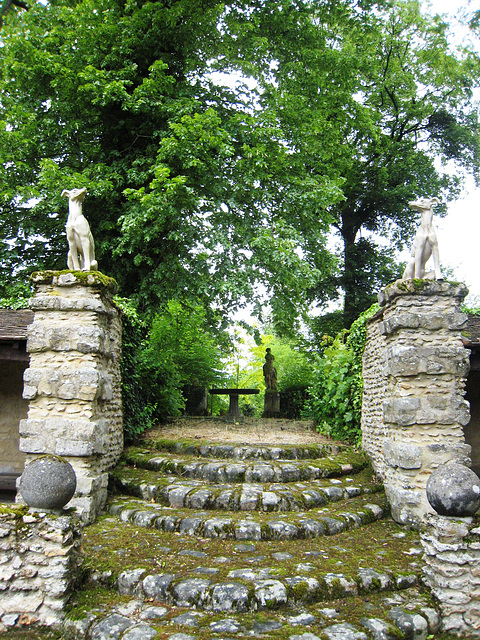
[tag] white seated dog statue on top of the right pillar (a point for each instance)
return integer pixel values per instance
(425, 244)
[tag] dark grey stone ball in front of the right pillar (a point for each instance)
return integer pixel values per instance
(454, 490)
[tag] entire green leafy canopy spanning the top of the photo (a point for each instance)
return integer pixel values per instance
(213, 193)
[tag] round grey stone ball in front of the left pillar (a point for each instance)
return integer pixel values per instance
(48, 483)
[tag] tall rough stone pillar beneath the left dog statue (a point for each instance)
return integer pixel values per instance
(73, 384)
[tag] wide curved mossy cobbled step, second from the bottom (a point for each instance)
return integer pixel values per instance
(248, 589)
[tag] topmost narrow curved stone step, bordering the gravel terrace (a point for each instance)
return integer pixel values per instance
(246, 452)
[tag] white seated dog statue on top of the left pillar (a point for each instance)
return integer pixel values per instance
(81, 248)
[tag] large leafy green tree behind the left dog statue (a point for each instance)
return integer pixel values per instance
(185, 179)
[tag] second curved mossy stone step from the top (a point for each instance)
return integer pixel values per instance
(220, 471)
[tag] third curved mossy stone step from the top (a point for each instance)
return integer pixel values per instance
(194, 494)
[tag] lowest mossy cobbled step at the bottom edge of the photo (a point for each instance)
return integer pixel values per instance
(404, 614)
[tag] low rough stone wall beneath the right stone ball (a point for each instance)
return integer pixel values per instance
(452, 572)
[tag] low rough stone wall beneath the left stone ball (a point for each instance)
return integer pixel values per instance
(39, 566)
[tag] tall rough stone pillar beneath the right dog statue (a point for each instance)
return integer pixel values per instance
(424, 409)
